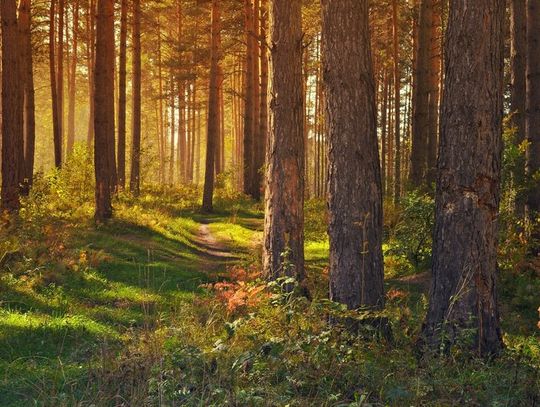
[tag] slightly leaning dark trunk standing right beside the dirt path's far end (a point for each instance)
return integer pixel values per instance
(213, 109)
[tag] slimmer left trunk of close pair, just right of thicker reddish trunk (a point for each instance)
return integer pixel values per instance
(122, 96)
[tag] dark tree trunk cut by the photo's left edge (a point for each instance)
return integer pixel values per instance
(12, 108)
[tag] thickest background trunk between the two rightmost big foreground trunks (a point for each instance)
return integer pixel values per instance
(420, 121)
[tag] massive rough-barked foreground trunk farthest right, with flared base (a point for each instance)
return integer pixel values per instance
(463, 292)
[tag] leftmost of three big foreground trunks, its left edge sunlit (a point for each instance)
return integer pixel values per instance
(284, 215)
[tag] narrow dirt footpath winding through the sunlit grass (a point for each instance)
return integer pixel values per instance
(215, 256)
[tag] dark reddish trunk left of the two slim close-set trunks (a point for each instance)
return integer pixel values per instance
(104, 105)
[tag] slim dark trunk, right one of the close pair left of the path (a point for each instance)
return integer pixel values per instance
(135, 178)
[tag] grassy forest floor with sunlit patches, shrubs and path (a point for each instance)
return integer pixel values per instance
(162, 306)
